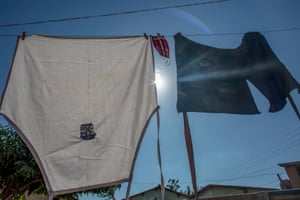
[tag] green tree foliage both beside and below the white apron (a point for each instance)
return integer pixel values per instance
(19, 172)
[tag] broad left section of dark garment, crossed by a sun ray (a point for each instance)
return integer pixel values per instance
(210, 79)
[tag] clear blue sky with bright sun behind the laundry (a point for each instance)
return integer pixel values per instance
(229, 149)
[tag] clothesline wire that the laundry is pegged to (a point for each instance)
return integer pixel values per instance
(189, 35)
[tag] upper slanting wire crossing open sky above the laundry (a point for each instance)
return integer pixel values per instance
(112, 14)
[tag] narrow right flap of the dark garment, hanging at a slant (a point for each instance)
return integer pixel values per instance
(266, 72)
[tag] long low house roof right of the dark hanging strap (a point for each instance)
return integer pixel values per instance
(213, 190)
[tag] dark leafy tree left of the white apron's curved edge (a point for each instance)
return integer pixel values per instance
(18, 171)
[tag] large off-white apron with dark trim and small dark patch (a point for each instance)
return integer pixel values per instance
(81, 106)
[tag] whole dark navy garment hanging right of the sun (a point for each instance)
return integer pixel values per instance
(214, 80)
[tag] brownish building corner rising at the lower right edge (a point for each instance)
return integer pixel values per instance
(293, 171)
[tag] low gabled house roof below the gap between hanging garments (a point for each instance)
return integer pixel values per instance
(155, 194)
